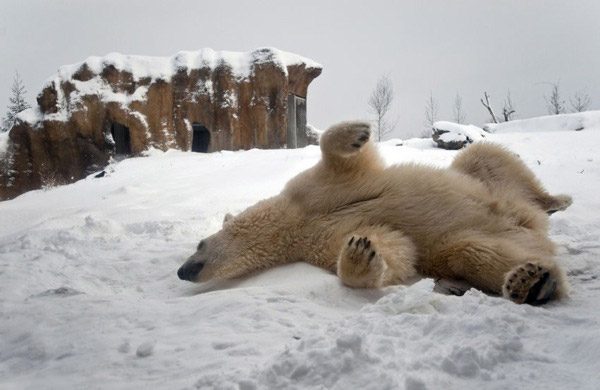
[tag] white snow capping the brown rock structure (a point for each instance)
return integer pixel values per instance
(155, 68)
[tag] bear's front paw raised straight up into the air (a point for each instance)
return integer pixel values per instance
(347, 146)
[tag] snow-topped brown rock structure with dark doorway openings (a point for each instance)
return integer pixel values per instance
(122, 105)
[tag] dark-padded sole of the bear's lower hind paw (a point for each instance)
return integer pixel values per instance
(529, 283)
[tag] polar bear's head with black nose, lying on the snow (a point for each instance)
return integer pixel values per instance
(247, 242)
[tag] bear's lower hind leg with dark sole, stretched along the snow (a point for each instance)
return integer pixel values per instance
(514, 268)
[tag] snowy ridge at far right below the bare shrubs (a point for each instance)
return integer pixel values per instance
(589, 120)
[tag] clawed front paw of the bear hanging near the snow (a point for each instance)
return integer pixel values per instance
(360, 265)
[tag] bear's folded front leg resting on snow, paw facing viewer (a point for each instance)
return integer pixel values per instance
(376, 257)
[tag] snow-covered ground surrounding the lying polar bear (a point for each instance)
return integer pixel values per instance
(89, 296)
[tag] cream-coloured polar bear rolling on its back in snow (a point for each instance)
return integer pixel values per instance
(483, 221)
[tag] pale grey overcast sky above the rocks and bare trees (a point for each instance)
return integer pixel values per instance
(443, 47)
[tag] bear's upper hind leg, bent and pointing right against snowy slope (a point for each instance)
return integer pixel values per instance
(502, 170)
